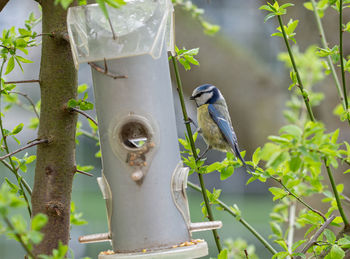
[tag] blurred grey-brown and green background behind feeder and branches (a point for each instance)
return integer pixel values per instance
(242, 61)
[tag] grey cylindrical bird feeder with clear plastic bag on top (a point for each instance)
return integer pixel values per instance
(143, 180)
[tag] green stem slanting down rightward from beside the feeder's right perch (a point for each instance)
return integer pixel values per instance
(240, 219)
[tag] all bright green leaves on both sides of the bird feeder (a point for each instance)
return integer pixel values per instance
(292, 159)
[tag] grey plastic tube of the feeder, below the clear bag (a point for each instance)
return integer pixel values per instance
(142, 214)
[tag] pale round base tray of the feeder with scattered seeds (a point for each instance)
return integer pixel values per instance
(187, 252)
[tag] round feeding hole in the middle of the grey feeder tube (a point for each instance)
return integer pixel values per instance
(134, 134)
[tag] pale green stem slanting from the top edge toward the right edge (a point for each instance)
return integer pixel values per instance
(325, 45)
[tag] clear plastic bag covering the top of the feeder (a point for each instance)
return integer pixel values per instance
(137, 28)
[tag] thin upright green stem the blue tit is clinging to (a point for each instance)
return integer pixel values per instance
(193, 148)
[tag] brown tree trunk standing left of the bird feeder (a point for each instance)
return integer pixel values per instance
(55, 166)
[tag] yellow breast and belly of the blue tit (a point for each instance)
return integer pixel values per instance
(209, 129)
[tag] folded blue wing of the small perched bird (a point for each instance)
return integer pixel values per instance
(226, 130)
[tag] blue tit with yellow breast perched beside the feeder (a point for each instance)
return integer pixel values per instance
(214, 121)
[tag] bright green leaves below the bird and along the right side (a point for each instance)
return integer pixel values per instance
(293, 158)
